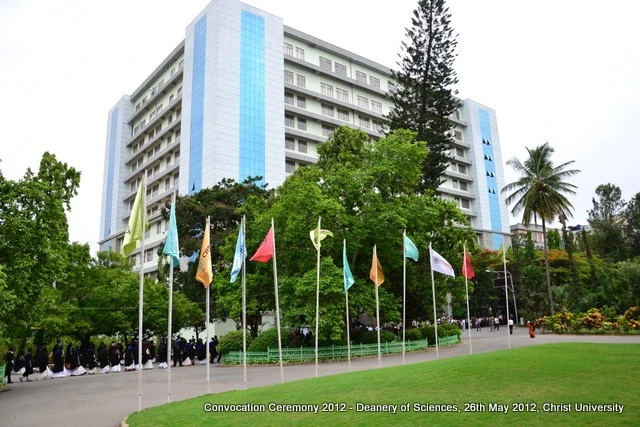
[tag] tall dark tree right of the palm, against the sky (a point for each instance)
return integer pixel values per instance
(606, 223)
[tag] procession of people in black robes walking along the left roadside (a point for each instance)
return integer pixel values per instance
(115, 357)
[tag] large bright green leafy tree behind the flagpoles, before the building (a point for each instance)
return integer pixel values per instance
(365, 193)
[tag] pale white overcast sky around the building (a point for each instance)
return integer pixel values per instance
(565, 72)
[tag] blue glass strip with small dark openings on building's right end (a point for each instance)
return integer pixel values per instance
(492, 183)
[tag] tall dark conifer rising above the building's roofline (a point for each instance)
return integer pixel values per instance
(424, 100)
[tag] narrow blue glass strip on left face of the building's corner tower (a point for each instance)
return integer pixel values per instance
(197, 106)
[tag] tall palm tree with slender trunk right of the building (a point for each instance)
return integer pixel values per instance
(539, 194)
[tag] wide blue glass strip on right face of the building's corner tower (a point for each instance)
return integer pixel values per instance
(252, 97)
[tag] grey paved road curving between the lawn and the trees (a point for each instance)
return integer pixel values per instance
(104, 400)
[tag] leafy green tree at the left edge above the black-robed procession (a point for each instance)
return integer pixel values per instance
(34, 239)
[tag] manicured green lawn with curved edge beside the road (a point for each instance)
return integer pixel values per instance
(566, 374)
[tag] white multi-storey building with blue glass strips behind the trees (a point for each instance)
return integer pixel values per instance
(244, 95)
